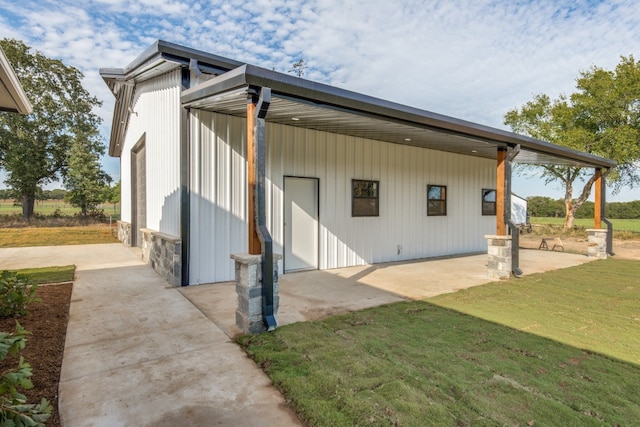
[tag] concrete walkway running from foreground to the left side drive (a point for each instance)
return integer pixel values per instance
(138, 353)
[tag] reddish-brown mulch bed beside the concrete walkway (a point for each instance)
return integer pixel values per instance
(47, 321)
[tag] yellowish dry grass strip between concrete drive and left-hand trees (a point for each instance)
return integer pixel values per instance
(54, 236)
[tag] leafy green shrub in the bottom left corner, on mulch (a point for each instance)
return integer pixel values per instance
(14, 409)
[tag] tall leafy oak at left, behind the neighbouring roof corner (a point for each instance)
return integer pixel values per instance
(33, 148)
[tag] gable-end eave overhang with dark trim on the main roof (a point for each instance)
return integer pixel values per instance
(159, 58)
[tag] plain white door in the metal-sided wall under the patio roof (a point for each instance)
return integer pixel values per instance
(300, 224)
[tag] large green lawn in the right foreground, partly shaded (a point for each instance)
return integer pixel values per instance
(555, 349)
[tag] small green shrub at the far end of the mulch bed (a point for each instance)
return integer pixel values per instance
(17, 291)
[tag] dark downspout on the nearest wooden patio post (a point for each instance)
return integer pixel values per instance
(268, 314)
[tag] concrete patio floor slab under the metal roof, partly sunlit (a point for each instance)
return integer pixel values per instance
(313, 295)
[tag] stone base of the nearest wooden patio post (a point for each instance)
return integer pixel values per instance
(249, 290)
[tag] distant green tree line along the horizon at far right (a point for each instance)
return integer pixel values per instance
(547, 207)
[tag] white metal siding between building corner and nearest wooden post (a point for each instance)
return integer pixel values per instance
(219, 195)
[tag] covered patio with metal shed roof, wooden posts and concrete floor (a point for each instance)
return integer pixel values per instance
(261, 96)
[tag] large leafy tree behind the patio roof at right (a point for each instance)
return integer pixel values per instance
(602, 117)
